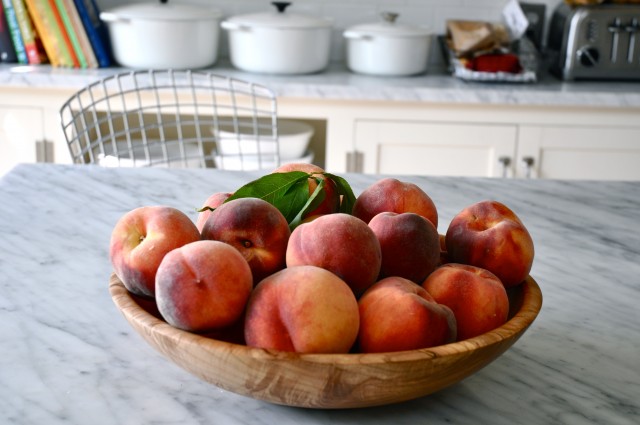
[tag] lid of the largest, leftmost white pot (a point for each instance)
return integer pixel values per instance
(163, 11)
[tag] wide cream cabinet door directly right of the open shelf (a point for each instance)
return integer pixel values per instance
(429, 148)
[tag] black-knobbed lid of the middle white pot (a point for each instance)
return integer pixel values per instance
(279, 18)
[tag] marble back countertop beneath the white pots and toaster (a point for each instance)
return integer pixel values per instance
(338, 83)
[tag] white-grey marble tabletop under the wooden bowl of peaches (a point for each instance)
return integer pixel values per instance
(69, 357)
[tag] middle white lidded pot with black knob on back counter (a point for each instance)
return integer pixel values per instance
(279, 42)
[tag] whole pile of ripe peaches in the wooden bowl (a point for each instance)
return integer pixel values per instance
(376, 279)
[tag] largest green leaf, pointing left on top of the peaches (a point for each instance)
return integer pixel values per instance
(289, 192)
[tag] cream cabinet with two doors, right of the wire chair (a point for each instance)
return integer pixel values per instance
(521, 142)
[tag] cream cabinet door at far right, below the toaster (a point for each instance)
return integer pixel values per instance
(600, 153)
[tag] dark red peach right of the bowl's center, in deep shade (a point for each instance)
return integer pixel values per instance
(410, 245)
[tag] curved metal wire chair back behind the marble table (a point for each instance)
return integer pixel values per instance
(172, 118)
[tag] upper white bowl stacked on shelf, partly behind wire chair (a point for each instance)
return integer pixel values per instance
(293, 138)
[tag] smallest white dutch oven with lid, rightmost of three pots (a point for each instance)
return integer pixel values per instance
(388, 48)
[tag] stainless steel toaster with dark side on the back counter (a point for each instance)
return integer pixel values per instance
(595, 42)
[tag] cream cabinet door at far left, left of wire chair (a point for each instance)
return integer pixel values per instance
(20, 131)
